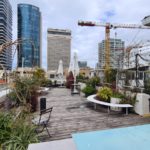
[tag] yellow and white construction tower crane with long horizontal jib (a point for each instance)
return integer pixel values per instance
(109, 26)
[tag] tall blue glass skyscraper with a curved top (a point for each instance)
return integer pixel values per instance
(29, 29)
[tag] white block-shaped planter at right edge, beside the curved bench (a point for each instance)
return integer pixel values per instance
(142, 104)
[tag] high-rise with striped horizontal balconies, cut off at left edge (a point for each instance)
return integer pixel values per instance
(5, 34)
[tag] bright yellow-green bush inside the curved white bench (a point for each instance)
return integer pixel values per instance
(104, 94)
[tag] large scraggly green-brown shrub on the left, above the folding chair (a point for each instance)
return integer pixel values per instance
(23, 89)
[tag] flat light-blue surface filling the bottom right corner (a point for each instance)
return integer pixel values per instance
(129, 138)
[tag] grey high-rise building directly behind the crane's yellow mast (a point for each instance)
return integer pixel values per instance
(116, 53)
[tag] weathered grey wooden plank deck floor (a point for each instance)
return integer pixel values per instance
(73, 114)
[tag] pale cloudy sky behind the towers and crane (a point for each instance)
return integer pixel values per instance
(64, 14)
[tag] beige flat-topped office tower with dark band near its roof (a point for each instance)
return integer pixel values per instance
(58, 48)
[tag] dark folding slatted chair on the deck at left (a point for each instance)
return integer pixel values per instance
(42, 121)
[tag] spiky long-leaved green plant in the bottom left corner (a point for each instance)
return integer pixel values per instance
(16, 132)
